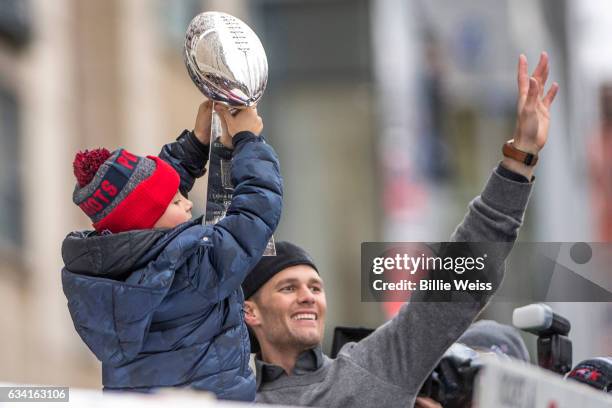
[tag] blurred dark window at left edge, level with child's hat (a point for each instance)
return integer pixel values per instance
(10, 178)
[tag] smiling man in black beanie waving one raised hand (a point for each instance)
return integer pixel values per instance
(285, 306)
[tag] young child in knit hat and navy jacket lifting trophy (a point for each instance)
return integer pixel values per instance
(157, 297)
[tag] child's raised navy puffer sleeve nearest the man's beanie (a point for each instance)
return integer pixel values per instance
(239, 239)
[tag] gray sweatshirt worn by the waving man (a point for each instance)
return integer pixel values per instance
(388, 368)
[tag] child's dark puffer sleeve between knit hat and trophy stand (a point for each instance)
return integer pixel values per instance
(188, 156)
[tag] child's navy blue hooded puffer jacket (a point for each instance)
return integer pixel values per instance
(163, 308)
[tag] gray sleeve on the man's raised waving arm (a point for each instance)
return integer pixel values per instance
(406, 349)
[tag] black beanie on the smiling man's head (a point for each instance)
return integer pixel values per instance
(287, 254)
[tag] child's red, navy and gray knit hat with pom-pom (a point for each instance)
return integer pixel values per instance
(120, 191)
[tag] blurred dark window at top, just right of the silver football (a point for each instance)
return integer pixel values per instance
(316, 40)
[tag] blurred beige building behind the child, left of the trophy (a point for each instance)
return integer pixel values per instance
(73, 75)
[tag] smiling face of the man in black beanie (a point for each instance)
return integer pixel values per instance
(289, 310)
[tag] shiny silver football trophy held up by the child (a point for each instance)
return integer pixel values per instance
(228, 64)
